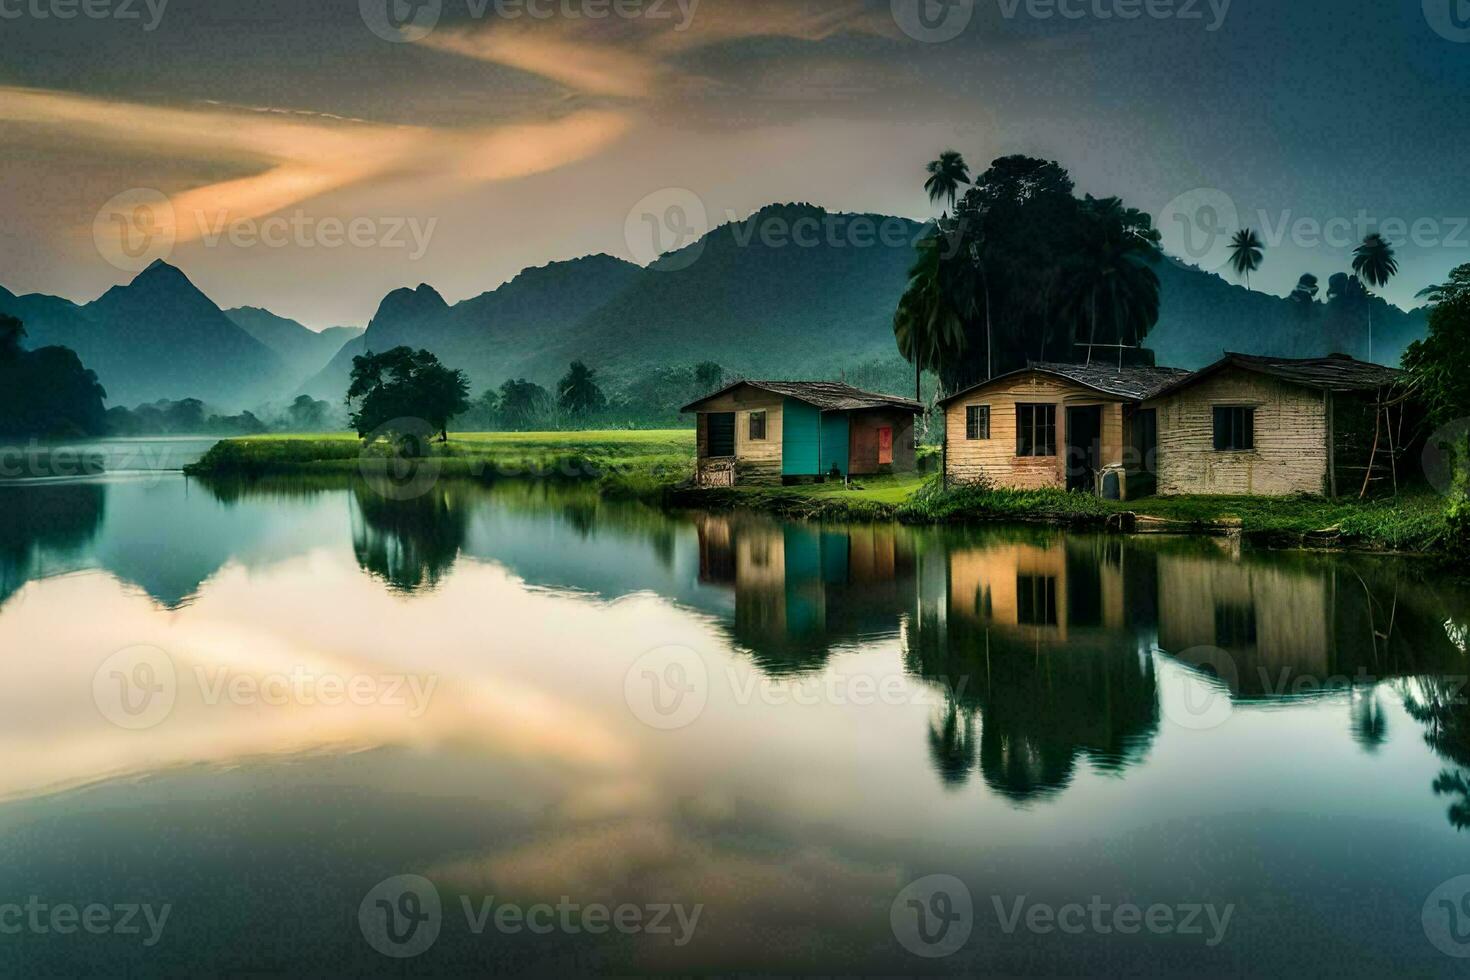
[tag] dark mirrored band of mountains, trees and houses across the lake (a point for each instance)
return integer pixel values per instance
(1044, 652)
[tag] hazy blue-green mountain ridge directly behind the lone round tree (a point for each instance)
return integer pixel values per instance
(496, 336)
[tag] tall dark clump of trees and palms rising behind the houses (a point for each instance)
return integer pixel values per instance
(1025, 271)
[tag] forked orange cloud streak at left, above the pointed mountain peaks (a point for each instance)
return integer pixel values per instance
(299, 158)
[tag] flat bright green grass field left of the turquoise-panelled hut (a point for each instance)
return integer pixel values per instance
(634, 464)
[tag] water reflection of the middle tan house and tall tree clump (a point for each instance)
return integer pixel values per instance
(1037, 649)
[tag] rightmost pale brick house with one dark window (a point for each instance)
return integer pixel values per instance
(1278, 427)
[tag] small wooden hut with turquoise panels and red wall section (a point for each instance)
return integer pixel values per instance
(772, 431)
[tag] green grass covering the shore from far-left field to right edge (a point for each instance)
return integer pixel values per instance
(656, 465)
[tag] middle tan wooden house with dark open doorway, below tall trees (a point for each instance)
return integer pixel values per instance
(1056, 425)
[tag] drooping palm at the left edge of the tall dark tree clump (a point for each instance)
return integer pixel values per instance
(930, 323)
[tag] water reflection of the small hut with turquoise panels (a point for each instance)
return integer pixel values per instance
(803, 590)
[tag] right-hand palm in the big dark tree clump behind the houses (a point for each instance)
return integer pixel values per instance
(1109, 278)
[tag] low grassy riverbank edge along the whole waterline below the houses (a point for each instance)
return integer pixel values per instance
(1412, 527)
